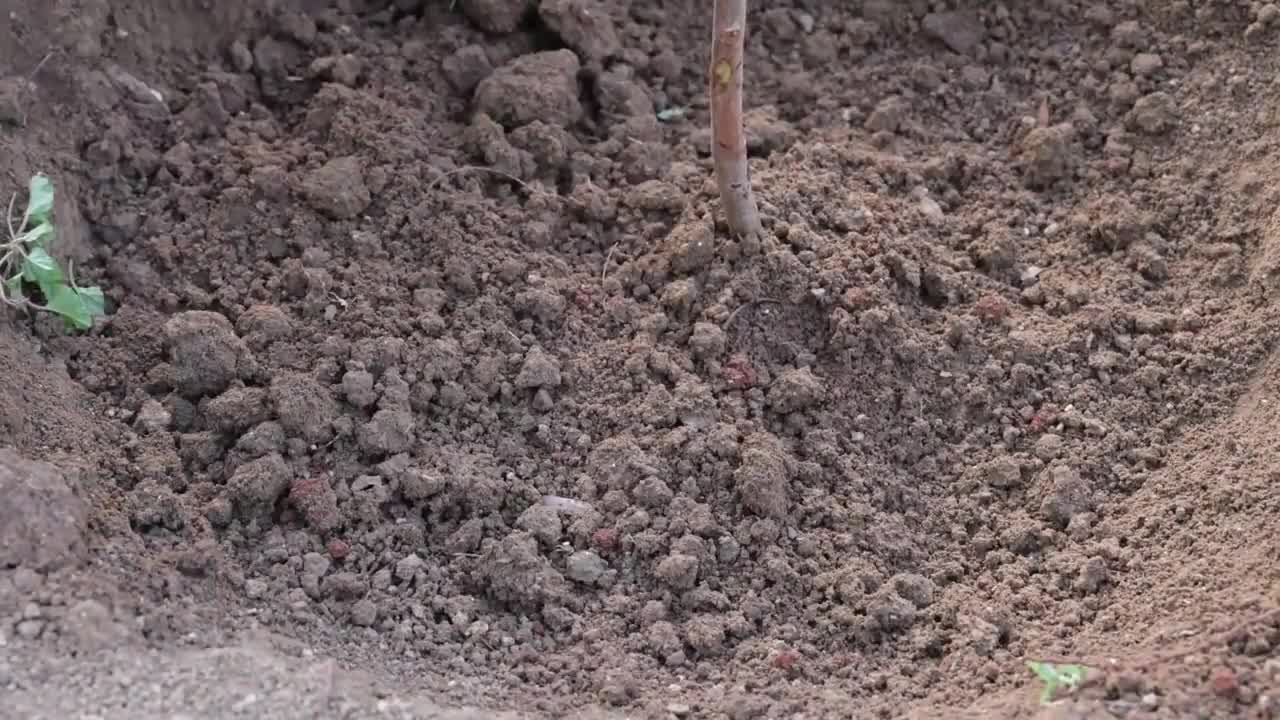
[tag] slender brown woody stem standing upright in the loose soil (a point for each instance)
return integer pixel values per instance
(729, 140)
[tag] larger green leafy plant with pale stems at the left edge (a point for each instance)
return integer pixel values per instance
(26, 265)
